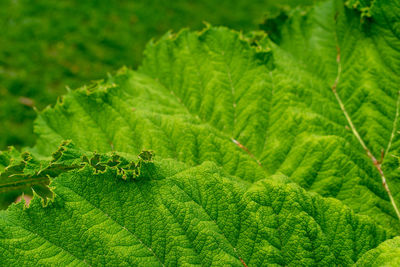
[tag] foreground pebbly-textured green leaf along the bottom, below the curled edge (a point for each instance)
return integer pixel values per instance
(173, 214)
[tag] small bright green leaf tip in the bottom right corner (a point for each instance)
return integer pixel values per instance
(386, 254)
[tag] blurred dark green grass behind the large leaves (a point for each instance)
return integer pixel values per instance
(46, 45)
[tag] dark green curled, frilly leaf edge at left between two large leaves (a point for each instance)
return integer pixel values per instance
(32, 174)
